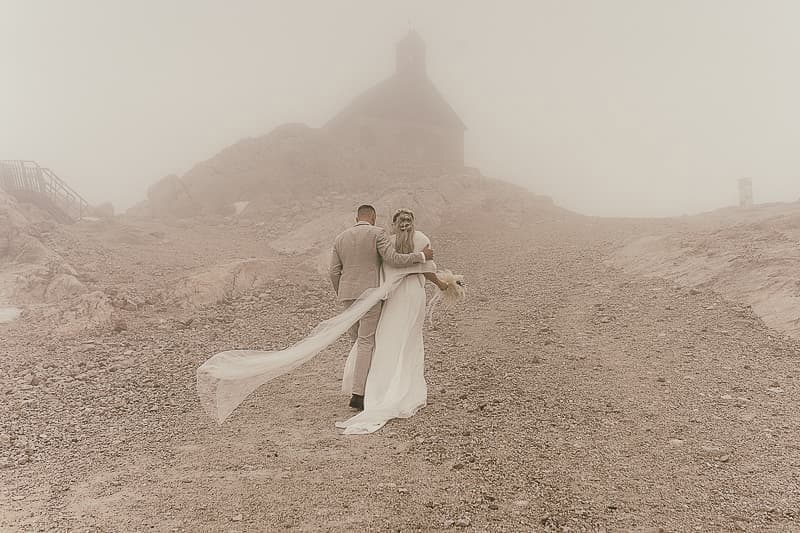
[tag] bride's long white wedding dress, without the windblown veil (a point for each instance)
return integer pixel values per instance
(396, 385)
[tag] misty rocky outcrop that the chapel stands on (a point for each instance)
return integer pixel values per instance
(295, 169)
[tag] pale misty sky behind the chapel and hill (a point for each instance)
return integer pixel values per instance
(613, 107)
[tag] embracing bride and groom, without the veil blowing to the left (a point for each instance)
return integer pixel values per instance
(385, 368)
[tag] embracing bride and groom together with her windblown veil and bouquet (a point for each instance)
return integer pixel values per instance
(380, 280)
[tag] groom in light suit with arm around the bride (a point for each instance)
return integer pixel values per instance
(355, 267)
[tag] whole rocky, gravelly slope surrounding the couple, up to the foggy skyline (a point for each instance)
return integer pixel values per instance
(602, 375)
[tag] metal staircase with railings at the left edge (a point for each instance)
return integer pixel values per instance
(29, 182)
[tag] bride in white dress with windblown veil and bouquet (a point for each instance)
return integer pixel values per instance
(395, 385)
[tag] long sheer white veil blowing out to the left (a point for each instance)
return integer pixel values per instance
(226, 379)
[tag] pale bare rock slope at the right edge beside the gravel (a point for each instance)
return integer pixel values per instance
(748, 256)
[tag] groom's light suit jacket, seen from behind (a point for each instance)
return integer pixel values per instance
(356, 259)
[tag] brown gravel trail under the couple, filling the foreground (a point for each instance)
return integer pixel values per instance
(564, 395)
